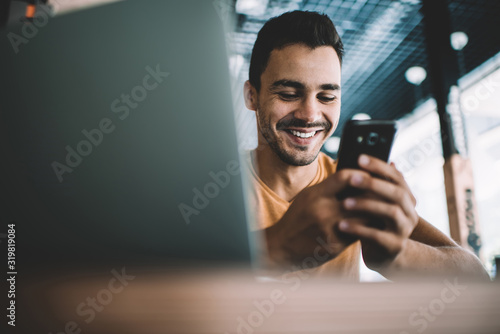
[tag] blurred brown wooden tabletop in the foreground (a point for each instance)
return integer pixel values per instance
(234, 301)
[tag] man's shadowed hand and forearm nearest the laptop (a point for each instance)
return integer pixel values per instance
(309, 227)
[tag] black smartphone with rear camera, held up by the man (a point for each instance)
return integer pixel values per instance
(371, 137)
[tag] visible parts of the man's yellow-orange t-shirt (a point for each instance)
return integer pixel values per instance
(267, 208)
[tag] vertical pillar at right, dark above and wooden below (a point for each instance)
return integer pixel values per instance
(444, 74)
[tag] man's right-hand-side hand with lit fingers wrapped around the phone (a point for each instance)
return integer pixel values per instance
(387, 198)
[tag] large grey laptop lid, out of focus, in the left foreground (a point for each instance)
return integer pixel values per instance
(118, 138)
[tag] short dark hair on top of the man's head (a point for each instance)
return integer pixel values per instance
(297, 27)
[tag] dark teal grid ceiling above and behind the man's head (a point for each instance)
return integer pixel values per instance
(382, 39)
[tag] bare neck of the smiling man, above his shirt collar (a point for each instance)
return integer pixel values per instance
(284, 179)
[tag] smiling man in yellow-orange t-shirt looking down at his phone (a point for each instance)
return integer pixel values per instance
(294, 88)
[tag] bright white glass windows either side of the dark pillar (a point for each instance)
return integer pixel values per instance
(417, 153)
